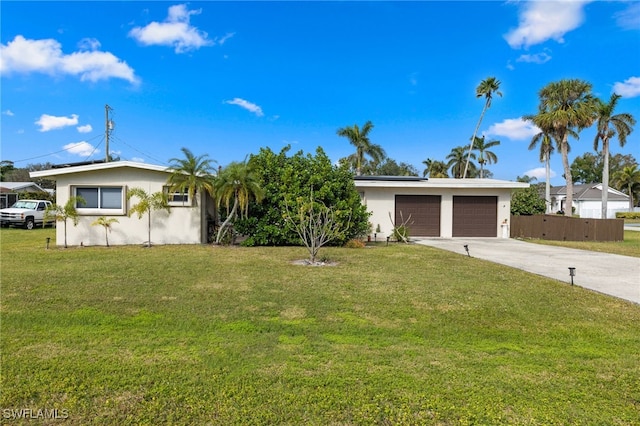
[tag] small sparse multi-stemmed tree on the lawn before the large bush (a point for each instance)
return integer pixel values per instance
(316, 225)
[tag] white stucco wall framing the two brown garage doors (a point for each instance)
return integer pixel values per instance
(380, 201)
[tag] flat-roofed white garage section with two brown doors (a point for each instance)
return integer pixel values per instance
(439, 207)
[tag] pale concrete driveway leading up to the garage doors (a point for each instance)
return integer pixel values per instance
(610, 274)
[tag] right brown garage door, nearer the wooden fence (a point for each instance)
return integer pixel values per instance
(475, 216)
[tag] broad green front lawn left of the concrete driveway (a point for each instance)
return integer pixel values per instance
(391, 335)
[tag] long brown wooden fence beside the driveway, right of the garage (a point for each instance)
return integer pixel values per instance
(562, 228)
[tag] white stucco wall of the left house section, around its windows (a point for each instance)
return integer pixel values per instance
(181, 226)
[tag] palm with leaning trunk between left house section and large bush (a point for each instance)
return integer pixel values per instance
(237, 181)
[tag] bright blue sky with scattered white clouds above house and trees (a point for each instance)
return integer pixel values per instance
(227, 78)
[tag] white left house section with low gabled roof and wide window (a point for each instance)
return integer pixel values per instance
(104, 187)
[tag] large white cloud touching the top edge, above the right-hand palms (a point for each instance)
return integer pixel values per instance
(542, 20)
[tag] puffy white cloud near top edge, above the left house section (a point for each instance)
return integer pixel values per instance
(175, 31)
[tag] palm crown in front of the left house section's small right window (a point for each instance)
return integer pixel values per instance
(191, 174)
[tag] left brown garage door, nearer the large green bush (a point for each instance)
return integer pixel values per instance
(424, 211)
